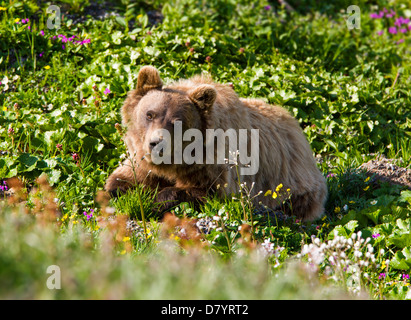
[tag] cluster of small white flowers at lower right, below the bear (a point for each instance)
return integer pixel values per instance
(344, 260)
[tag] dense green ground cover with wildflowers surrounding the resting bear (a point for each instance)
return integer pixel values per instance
(61, 91)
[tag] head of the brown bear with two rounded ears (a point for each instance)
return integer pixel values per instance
(154, 115)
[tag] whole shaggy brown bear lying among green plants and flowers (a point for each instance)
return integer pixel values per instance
(285, 163)
